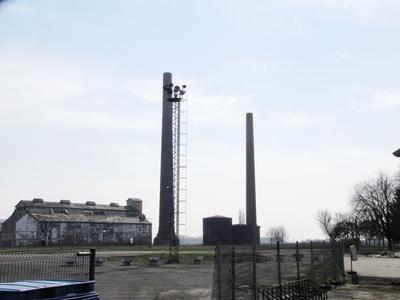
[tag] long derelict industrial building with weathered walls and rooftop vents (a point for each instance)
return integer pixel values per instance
(41, 223)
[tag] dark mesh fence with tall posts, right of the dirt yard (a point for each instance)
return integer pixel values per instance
(240, 270)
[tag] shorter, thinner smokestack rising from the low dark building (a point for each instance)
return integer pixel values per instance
(251, 211)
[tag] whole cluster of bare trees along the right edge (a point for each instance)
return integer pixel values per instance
(374, 214)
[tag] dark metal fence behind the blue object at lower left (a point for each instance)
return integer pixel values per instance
(47, 264)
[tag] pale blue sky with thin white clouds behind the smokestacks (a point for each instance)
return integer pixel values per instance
(80, 102)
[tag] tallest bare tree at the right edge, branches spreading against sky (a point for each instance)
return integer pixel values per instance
(374, 200)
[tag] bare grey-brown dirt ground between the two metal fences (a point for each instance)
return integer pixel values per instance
(114, 281)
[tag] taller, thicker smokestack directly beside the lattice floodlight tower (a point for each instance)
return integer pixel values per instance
(166, 221)
